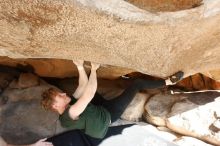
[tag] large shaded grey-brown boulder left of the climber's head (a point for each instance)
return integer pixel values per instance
(23, 114)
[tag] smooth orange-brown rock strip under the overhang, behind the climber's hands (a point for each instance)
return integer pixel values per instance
(60, 68)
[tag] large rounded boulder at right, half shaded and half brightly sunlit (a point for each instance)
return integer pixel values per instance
(188, 114)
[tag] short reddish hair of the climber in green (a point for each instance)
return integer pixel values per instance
(48, 98)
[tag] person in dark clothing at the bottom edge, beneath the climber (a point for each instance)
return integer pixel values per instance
(74, 138)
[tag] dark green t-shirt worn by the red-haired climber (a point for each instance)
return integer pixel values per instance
(94, 120)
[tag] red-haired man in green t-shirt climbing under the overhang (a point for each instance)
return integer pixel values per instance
(77, 112)
